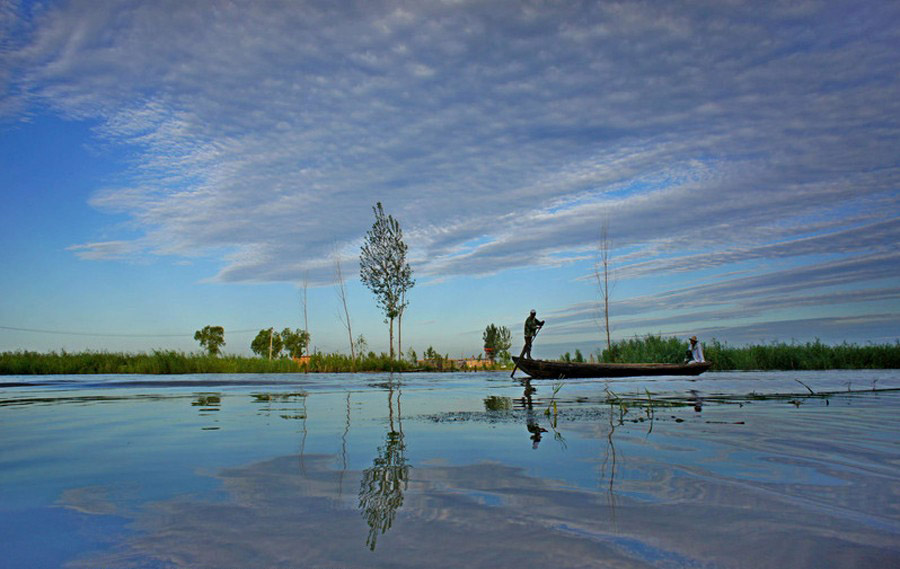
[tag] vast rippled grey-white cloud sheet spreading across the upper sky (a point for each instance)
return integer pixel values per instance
(500, 134)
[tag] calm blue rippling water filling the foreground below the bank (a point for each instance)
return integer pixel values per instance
(450, 470)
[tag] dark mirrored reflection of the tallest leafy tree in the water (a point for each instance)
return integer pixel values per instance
(382, 486)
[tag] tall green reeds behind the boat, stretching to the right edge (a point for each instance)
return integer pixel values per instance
(774, 356)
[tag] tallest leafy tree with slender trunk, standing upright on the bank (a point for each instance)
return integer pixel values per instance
(383, 267)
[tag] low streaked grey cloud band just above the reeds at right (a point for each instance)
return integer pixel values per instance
(732, 301)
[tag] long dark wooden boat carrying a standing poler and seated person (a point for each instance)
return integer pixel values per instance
(547, 369)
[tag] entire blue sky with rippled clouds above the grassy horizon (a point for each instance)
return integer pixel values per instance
(167, 165)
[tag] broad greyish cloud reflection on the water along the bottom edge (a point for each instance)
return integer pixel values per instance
(489, 515)
